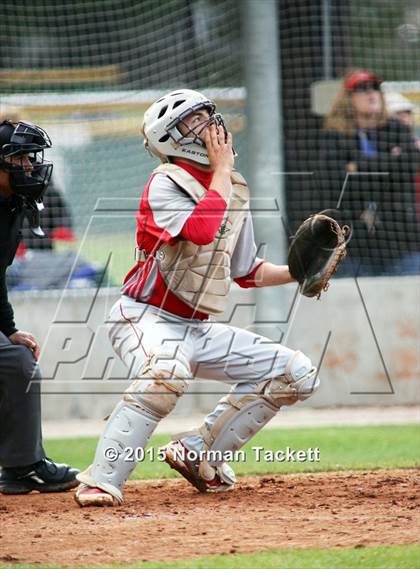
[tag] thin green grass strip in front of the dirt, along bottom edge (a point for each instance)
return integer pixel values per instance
(395, 557)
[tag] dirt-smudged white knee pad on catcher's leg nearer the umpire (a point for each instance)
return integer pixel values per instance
(163, 380)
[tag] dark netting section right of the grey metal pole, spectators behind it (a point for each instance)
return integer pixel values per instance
(367, 165)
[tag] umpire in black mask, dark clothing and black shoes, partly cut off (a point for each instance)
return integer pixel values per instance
(24, 176)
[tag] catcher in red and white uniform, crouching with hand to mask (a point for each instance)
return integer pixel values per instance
(194, 236)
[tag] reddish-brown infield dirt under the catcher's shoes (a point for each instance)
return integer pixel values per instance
(168, 519)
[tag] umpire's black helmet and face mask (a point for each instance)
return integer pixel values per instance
(22, 147)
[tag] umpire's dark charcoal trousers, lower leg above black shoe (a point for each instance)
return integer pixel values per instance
(20, 407)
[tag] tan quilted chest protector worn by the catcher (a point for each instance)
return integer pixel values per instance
(200, 274)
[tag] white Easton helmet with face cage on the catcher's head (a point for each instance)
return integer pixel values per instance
(161, 120)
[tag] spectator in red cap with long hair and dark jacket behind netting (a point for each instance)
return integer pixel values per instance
(368, 164)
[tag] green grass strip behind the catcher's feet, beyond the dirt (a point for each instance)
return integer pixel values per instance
(340, 448)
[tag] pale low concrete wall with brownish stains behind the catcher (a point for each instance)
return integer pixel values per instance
(364, 336)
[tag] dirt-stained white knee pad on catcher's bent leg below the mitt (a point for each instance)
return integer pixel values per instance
(298, 382)
